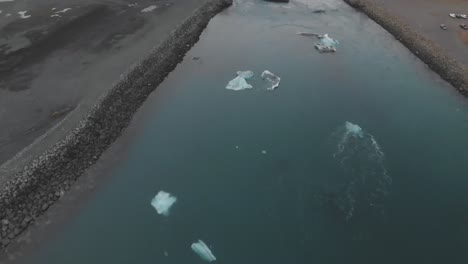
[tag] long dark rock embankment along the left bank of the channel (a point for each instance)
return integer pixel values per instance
(42, 182)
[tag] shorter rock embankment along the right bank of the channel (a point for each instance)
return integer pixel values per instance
(426, 50)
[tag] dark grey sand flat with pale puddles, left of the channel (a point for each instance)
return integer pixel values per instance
(57, 62)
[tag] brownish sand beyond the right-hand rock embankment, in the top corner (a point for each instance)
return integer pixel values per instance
(427, 15)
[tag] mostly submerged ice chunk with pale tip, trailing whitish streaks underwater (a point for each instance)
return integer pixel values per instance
(367, 182)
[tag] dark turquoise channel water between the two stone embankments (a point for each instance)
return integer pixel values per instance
(394, 192)
